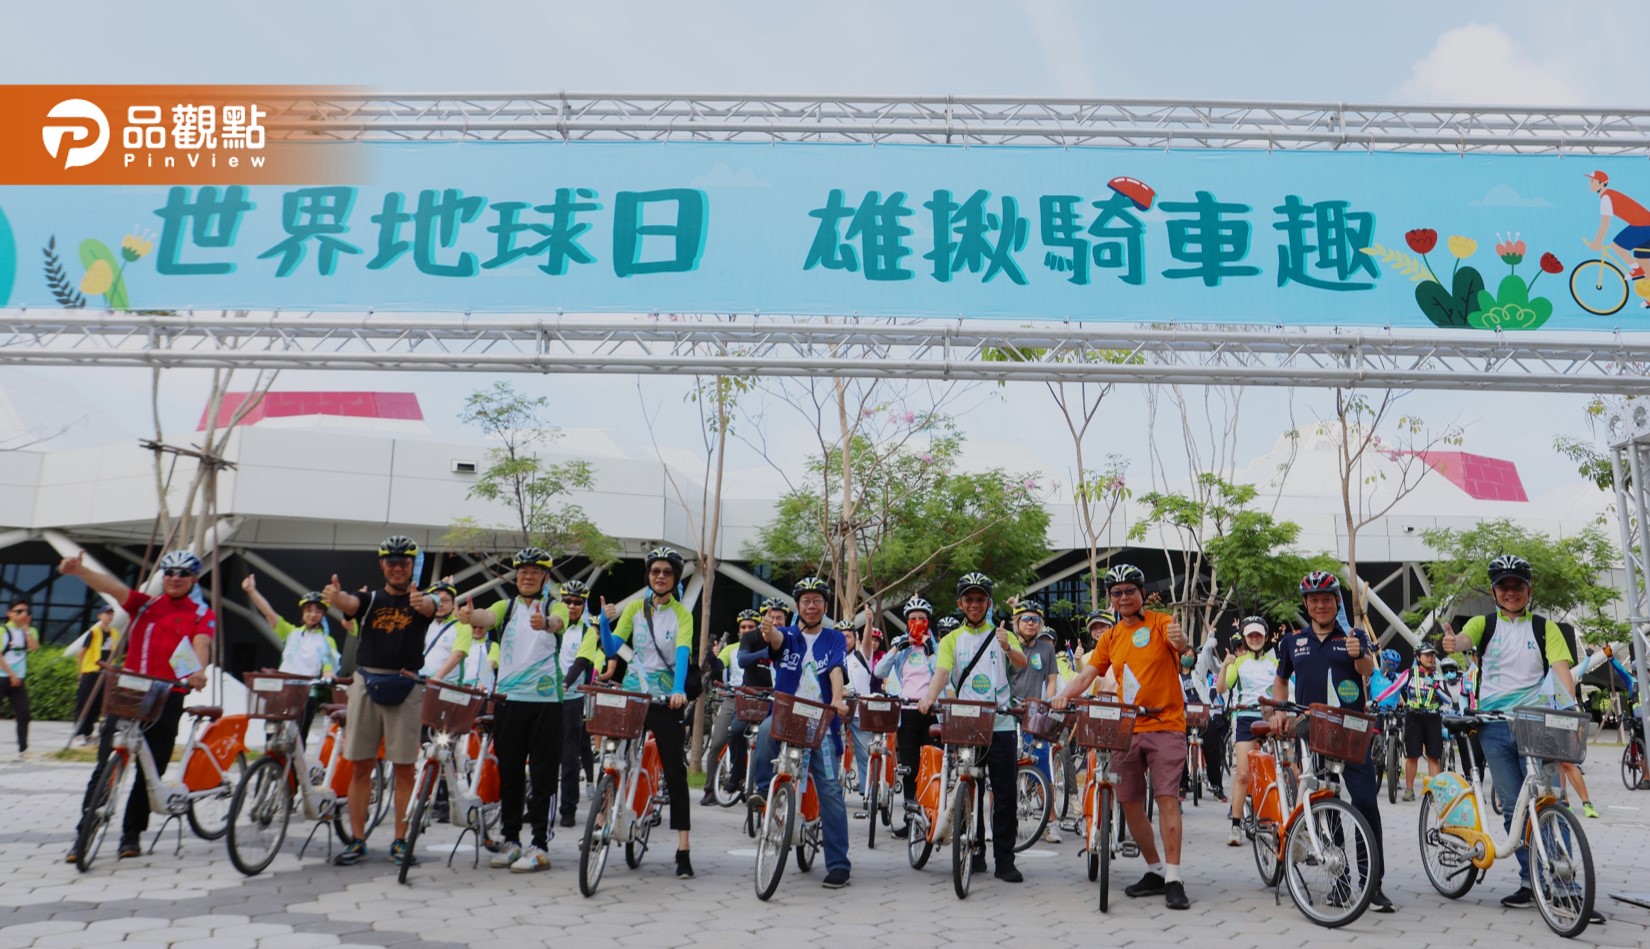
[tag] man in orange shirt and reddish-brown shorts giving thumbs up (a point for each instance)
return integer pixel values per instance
(1144, 651)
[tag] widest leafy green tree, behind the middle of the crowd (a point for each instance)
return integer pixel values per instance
(918, 524)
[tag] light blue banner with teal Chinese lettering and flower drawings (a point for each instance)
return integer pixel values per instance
(1035, 234)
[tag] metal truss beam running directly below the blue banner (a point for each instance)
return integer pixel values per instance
(829, 347)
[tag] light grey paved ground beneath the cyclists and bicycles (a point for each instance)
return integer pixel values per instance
(200, 900)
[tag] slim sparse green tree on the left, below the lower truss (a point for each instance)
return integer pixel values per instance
(529, 488)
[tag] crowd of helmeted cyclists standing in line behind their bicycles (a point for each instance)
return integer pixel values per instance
(535, 653)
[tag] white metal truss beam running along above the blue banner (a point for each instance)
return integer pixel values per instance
(956, 121)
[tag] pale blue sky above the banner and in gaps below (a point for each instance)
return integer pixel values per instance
(1509, 52)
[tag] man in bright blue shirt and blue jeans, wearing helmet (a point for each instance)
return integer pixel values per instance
(809, 664)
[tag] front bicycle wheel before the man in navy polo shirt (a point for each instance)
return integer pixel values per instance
(1332, 864)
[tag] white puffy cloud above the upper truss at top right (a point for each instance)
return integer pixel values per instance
(1481, 64)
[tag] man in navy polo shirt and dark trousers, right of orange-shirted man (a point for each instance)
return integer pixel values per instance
(1329, 666)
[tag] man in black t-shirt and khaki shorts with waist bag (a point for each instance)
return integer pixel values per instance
(392, 625)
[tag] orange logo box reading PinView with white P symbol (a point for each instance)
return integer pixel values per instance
(174, 136)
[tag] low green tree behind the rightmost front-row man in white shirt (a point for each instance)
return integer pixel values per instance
(1567, 574)
